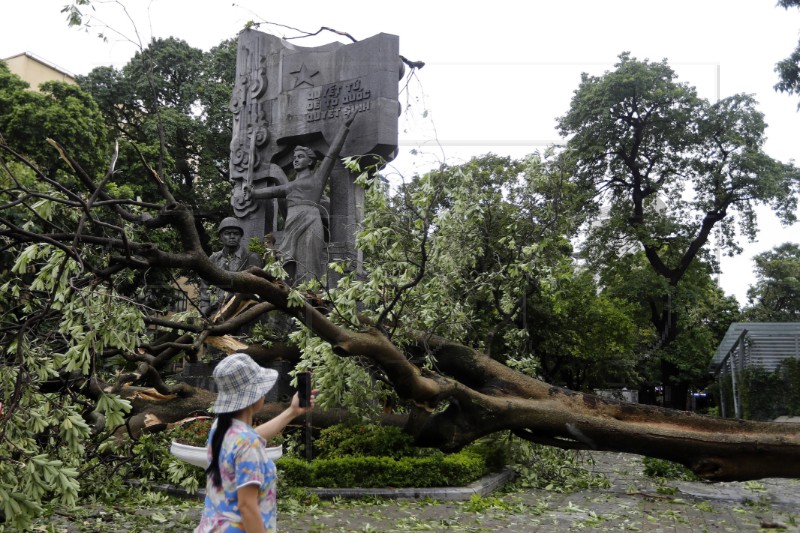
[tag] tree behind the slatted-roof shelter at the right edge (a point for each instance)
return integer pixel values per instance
(776, 295)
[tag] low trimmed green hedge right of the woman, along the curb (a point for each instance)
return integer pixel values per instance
(435, 470)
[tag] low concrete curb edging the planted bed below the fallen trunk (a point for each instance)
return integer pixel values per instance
(484, 486)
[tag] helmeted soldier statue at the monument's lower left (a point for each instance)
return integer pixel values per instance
(233, 257)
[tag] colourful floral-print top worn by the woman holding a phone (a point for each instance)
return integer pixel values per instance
(243, 461)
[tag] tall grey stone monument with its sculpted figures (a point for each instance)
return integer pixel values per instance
(293, 106)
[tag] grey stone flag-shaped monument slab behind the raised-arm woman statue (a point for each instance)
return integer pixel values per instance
(287, 96)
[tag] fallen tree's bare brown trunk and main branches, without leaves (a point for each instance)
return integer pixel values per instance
(468, 396)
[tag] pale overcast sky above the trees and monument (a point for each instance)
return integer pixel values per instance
(497, 74)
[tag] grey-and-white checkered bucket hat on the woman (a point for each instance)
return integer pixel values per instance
(241, 382)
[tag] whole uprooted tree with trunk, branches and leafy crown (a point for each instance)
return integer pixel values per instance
(64, 322)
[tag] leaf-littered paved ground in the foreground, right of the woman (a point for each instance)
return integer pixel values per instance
(632, 503)
